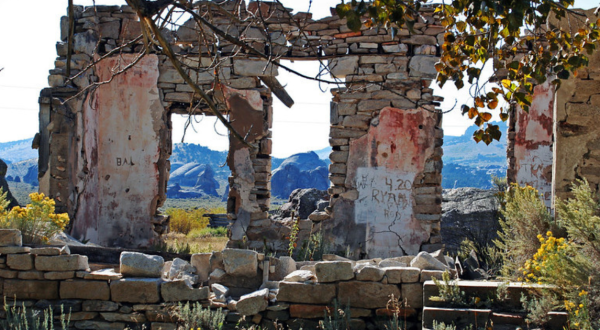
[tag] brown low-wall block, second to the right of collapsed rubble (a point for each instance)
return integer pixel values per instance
(367, 294)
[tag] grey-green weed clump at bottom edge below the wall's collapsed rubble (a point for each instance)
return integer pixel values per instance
(193, 316)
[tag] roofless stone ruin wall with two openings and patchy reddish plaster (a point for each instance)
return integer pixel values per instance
(104, 154)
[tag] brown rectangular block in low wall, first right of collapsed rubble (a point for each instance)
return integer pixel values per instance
(306, 293)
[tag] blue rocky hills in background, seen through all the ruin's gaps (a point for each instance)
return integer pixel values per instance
(199, 171)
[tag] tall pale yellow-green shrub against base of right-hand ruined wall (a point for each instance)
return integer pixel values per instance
(524, 216)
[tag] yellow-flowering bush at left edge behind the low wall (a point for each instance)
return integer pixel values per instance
(36, 221)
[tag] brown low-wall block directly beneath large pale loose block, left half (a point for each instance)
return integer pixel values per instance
(136, 290)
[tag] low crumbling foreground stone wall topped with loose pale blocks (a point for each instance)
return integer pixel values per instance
(144, 290)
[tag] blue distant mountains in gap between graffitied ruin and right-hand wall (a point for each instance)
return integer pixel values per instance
(471, 164)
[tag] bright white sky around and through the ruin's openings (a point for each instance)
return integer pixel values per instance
(28, 52)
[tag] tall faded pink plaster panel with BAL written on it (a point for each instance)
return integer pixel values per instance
(122, 148)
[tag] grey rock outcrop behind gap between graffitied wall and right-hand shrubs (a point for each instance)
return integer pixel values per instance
(469, 213)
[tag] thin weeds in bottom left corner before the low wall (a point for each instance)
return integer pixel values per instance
(20, 318)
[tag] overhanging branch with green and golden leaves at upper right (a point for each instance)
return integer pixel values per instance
(517, 36)
